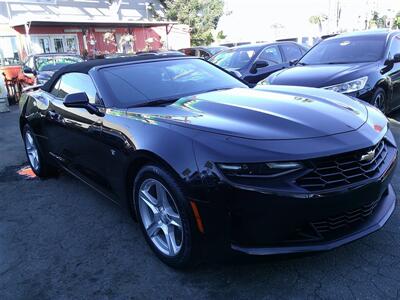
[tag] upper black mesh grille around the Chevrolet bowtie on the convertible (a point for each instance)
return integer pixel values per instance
(344, 169)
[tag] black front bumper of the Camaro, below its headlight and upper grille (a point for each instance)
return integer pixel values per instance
(261, 223)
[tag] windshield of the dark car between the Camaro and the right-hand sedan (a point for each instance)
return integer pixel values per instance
(234, 58)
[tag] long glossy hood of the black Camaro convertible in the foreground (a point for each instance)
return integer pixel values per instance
(269, 113)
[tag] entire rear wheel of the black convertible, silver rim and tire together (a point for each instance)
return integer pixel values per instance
(35, 158)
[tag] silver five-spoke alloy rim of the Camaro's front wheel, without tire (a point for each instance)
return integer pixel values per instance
(160, 217)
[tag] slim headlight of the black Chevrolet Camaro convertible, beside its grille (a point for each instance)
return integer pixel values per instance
(272, 169)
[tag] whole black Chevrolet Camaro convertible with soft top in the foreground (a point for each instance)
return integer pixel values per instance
(206, 164)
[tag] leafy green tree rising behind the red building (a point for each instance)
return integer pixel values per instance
(202, 16)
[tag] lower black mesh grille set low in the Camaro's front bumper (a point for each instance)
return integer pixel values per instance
(347, 219)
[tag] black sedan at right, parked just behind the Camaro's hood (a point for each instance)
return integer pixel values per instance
(365, 65)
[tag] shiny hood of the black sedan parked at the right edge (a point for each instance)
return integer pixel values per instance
(321, 75)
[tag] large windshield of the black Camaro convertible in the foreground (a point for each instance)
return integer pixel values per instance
(136, 84)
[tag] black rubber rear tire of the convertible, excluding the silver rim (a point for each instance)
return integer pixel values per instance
(44, 169)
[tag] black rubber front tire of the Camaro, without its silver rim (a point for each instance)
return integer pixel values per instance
(188, 254)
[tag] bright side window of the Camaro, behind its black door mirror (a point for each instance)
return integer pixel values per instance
(75, 83)
